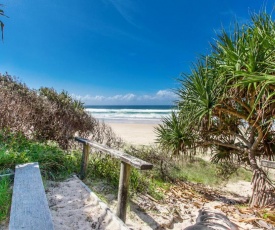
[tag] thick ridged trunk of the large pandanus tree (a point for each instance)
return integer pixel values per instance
(263, 191)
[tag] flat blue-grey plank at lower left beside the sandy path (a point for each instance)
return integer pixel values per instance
(29, 209)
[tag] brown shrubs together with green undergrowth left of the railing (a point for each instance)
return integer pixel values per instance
(39, 126)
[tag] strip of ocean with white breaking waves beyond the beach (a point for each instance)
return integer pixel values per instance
(151, 114)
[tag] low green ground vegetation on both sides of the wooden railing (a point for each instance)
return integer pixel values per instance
(58, 164)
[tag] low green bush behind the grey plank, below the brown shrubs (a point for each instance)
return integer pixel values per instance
(54, 163)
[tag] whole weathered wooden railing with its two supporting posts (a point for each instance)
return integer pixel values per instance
(127, 161)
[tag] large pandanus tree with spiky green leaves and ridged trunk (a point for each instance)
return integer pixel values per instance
(228, 100)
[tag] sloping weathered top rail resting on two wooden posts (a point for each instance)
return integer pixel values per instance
(131, 160)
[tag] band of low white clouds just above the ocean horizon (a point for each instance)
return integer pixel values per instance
(160, 97)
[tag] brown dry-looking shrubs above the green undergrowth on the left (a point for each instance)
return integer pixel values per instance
(45, 115)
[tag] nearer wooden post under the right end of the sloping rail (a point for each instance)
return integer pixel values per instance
(125, 170)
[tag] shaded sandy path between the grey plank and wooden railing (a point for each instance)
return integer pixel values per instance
(74, 207)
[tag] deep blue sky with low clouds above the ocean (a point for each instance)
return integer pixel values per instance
(113, 51)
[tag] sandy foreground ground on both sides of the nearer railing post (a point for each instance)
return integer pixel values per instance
(74, 207)
